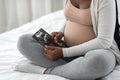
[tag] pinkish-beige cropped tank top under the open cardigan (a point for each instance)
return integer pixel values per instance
(73, 13)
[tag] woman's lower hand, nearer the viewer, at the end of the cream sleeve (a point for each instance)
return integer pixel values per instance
(53, 53)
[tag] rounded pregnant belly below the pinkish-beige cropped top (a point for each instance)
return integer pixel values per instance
(76, 34)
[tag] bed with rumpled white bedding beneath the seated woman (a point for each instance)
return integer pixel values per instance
(9, 55)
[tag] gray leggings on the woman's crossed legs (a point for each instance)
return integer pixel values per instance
(93, 65)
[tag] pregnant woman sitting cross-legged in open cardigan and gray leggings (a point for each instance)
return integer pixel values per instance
(91, 51)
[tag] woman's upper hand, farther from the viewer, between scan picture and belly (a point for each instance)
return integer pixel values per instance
(57, 37)
